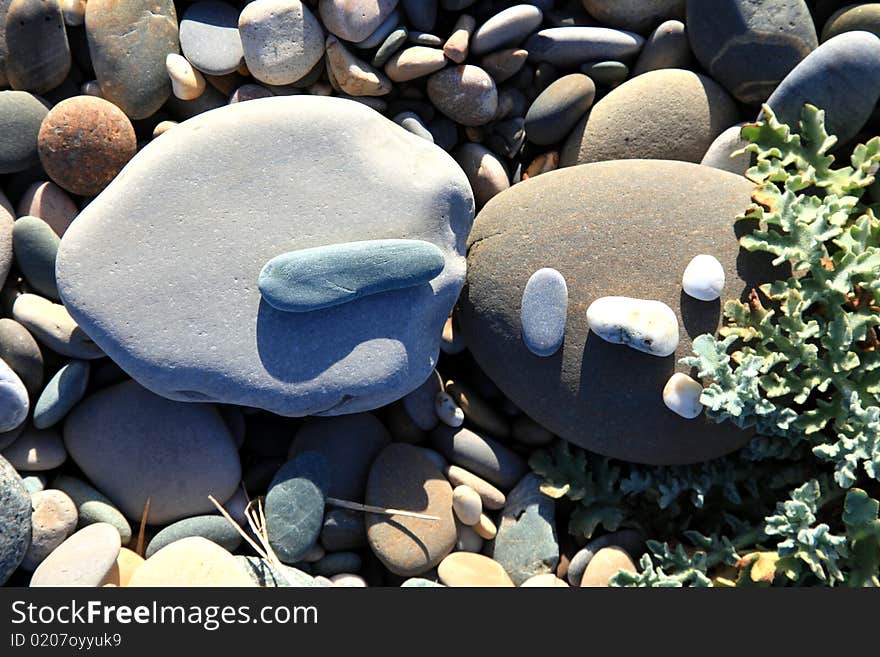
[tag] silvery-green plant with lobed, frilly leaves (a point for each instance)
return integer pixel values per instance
(798, 363)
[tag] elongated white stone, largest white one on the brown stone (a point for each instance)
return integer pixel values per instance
(645, 325)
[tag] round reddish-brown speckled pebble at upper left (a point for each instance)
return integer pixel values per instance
(84, 142)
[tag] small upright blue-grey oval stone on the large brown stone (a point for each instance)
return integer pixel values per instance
(543, 312)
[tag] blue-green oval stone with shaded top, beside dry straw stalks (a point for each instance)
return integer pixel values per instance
(295, 505)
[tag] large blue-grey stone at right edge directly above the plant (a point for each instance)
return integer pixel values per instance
(842, 77)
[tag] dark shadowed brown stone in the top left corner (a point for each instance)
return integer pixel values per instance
(37, 42)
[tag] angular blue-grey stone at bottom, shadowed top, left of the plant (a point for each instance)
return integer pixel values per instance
(526, 543)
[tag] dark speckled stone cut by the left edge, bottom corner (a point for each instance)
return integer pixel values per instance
(15, 520)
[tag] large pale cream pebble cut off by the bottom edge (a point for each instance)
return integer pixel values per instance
(193, 562)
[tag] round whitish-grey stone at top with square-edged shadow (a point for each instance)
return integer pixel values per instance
(282, 40)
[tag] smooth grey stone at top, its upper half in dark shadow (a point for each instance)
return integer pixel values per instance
(209, 37)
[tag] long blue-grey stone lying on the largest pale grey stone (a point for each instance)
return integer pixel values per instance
(326, 276)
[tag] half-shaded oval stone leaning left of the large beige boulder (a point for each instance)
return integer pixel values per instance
(560, 106)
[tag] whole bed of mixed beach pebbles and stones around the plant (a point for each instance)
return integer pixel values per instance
(294, 291)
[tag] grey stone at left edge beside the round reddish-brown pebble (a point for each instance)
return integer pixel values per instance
(20, 117)
